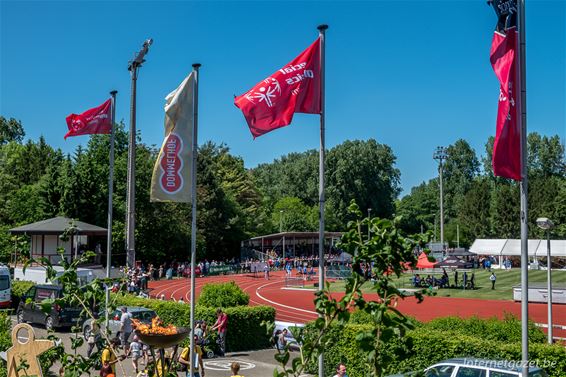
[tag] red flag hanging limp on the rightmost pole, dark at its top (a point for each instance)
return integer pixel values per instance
(506, 159)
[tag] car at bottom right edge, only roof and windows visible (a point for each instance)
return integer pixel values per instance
(470, 367)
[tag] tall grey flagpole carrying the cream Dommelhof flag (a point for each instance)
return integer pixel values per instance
(196, 67)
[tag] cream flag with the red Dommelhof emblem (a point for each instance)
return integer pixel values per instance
(172, 172)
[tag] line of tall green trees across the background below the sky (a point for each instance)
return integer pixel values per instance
(234, 203)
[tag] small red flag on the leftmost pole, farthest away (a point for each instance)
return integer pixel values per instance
(94, 121)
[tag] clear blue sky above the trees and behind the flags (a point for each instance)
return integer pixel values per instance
(410, 74)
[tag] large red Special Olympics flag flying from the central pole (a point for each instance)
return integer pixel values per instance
(295, 88)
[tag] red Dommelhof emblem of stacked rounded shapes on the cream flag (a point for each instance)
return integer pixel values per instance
(171, 165)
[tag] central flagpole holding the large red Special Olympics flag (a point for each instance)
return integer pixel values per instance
(322, 31)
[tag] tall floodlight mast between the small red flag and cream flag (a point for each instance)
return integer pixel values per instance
(133, 67)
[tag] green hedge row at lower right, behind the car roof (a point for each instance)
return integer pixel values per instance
(428, 345)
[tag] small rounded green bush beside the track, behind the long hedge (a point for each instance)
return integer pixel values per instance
(223, 295)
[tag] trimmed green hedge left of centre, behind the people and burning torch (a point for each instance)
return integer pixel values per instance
(244, 330)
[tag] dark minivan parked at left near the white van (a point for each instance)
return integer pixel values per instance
(29, 309)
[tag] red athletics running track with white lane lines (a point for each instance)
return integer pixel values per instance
(297, 306)
